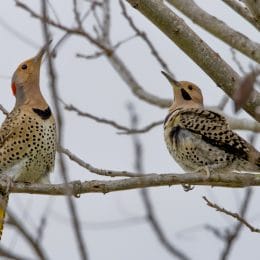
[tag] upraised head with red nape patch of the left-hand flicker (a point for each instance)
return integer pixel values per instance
(25, 80)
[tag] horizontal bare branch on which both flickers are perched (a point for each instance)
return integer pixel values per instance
(231, 180)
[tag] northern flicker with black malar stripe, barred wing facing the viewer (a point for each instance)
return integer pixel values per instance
(201, 140)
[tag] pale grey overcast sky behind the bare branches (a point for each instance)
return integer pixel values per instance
(113, 224)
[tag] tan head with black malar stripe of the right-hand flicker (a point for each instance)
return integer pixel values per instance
(186, 94)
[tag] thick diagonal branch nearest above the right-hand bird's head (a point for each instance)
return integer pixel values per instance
(178, 31)
